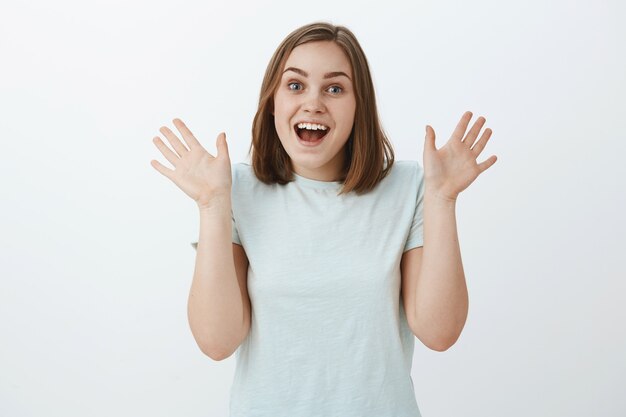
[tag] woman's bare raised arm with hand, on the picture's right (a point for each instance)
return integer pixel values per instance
(433, 280)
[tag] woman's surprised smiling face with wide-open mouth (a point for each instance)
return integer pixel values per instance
(314, 108)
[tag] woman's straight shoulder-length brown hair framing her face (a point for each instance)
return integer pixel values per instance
(368, 153)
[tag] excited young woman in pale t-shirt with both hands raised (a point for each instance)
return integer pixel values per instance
(321, 261)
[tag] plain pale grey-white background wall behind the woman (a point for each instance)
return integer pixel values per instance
(96, 261)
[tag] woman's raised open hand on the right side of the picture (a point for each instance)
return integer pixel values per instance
(452, 168)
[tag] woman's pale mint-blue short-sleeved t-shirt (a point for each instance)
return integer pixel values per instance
(329, 335)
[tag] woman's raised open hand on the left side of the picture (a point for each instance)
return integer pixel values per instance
(202, 176)
